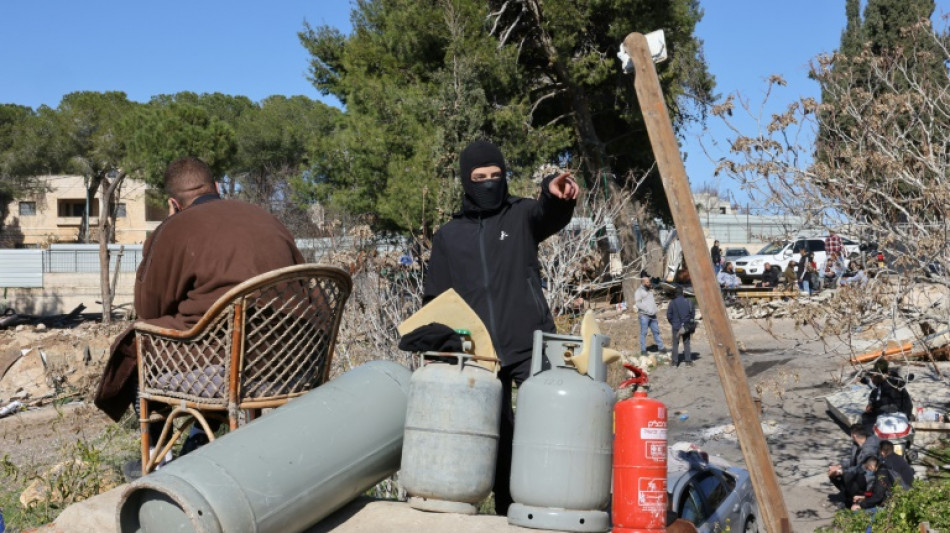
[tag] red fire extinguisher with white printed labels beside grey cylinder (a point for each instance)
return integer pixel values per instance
(639, 499)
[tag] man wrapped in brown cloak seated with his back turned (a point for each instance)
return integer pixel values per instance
(205, 247)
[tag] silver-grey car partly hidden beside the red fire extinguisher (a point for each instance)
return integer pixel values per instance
(714, 498)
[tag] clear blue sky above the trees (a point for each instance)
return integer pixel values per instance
(51, 48)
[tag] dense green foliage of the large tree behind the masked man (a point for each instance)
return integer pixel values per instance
(540, 81)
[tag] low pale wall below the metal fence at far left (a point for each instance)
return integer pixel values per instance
(61, 293)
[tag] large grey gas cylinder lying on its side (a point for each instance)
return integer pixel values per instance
(285, 471)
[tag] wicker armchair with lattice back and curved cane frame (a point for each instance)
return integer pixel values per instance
(262, 343)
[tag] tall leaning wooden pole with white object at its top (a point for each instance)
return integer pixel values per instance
(774, 515)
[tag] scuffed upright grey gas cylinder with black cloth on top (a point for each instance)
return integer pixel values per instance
(451, 440)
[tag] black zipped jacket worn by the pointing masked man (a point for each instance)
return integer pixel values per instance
(491, 260)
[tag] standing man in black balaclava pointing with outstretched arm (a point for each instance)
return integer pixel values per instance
(488, 253)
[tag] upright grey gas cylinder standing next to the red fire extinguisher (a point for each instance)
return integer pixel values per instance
(563, 442)
